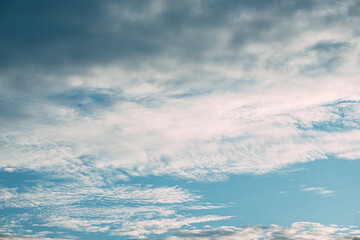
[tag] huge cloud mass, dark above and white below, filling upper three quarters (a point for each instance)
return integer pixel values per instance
(248, 99)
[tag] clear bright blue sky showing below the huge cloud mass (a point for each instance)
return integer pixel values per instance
(273, 198)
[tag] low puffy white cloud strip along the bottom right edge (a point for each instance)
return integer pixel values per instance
(298, 230)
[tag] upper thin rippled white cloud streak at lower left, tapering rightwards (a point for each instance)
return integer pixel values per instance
(71, 193)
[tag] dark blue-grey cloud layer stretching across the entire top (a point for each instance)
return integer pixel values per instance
(44, 42)
